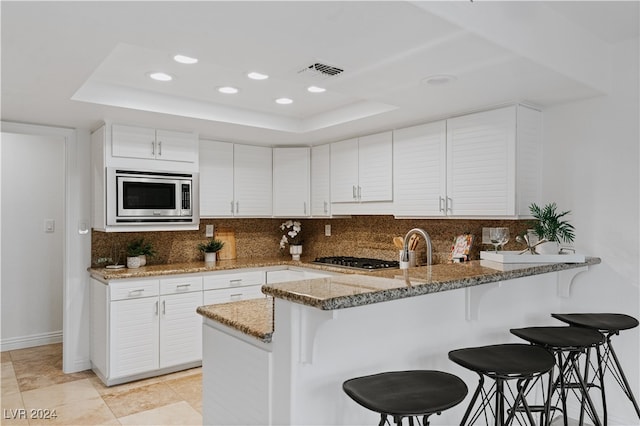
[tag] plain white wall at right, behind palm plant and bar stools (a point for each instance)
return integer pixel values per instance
(591, 161)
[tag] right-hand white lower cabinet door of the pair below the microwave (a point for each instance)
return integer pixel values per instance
(180, 329)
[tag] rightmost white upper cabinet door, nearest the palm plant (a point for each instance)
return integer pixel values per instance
(481, 163)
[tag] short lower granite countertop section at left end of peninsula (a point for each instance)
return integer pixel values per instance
(253, 317)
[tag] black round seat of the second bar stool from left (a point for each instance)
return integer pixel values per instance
(504, 360)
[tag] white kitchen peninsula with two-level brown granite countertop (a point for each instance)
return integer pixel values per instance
(329, 329)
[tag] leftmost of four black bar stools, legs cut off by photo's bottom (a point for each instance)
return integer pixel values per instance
(399, 394)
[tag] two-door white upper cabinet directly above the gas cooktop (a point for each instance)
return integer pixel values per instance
(362, 169)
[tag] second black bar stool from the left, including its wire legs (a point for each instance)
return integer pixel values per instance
(503, 363)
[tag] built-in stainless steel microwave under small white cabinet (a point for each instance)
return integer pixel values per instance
(150, 197)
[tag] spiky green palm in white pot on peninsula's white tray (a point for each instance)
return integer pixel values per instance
(551, 228)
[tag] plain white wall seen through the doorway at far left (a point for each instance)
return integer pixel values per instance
(32, 270)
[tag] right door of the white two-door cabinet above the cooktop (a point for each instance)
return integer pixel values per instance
(375, 167)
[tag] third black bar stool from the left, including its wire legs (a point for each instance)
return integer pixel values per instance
(567, 344)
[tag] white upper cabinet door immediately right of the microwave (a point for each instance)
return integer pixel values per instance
(216, 179)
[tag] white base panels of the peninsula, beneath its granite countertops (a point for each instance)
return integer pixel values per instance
(312, 352)
